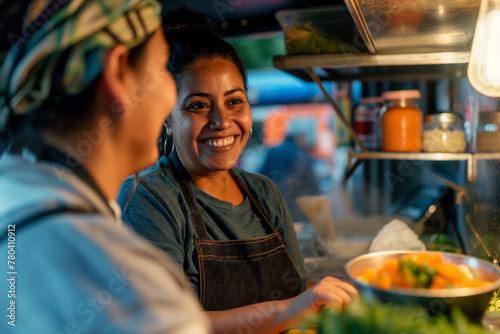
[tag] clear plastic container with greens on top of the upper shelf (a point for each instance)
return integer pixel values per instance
(327, 29)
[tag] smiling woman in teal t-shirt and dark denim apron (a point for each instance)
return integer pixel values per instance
(229, 230)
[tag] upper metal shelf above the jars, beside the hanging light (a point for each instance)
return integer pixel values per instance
(376, 67)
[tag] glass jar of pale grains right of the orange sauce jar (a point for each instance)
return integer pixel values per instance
(444, 133)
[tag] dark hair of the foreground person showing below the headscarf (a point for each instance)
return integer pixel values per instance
(60, 114)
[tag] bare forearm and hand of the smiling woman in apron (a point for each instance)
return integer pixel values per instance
(277, 316)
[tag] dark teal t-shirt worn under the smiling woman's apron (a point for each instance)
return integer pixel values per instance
(157, 211)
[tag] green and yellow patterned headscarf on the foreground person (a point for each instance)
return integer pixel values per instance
(76, 33)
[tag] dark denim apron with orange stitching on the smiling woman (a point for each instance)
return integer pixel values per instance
(236, 273)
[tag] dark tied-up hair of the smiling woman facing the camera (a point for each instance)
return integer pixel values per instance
(191, 39)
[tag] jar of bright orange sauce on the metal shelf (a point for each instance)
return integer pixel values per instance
(401, 121)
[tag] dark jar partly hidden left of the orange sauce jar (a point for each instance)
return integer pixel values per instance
(365, 121)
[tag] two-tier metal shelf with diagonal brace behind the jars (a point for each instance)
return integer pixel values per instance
(377, 67)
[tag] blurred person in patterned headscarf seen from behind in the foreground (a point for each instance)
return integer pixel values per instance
(84, 90)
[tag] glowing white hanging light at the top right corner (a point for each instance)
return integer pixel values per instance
(484, 64)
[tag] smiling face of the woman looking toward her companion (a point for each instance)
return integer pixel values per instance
(211, 121)
